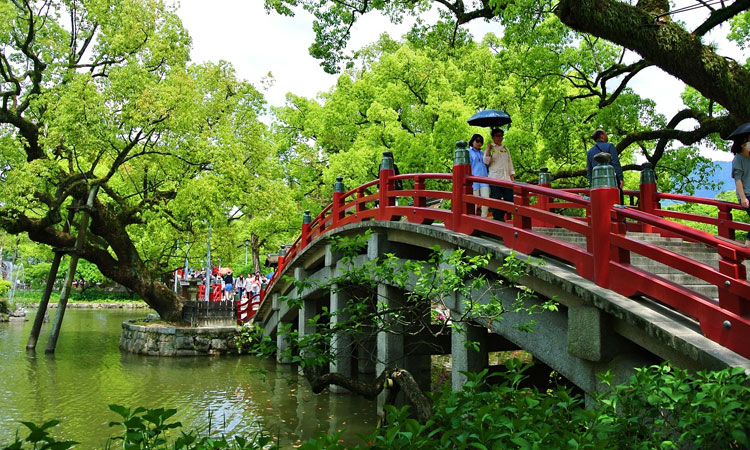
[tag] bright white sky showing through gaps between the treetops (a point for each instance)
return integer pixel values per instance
(256, 43)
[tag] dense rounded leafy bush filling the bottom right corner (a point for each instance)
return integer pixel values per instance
(664, 407)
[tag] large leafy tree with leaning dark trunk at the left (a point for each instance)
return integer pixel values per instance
(102, 94)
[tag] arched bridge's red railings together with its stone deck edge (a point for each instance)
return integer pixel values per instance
(677, 291)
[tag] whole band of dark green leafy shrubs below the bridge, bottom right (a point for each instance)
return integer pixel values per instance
(660, 407)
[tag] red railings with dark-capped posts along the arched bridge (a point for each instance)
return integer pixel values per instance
(597, 217)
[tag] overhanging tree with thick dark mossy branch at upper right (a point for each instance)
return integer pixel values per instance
(587, 43)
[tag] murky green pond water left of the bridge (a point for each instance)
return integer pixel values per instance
(88, 372)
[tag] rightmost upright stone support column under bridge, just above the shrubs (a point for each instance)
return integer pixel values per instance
(464, 358)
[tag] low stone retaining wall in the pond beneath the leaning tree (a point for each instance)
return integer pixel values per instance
(163, 340)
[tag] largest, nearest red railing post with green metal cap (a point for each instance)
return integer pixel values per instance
(604, 195)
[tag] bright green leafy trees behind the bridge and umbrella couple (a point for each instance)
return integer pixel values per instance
(414, 100)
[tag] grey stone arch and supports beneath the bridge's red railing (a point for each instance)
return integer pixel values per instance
(592, 331)
